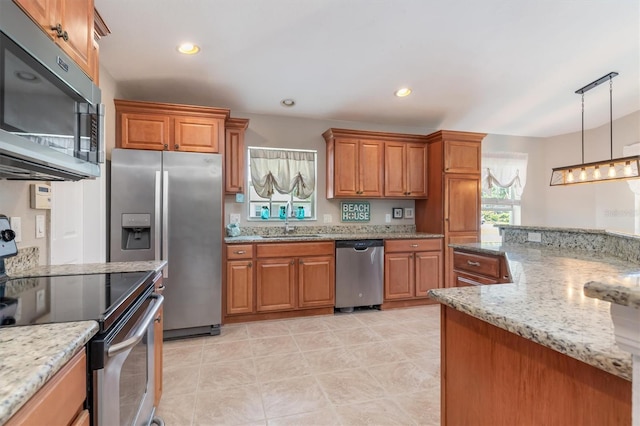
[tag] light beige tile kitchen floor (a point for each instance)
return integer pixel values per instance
(364, 368)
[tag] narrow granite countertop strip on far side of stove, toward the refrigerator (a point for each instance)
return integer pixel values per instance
(90, 268)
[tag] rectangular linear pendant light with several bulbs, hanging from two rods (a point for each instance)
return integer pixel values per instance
(599, 171)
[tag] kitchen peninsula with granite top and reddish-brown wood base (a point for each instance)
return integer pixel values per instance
(536, 350)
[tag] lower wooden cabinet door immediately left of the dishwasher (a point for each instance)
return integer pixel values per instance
(316, 281)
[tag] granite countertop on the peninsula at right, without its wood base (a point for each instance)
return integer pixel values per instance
(546, 303)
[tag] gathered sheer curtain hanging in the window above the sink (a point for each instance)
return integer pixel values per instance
(288, 172)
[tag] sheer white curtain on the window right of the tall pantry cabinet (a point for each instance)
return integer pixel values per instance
(505, 170)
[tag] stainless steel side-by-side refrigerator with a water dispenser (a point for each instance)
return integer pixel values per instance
(168, 205)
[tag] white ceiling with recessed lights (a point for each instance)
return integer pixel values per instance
(495, 66)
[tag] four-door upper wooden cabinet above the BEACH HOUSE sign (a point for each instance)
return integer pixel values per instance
(363, 164)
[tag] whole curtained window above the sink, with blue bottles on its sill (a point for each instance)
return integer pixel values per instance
(281, 182)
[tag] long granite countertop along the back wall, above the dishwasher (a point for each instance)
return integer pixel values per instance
(331, 237)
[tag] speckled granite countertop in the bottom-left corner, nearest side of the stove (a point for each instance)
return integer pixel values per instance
(31, 355)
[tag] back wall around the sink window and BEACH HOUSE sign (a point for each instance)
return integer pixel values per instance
(302, 133)
